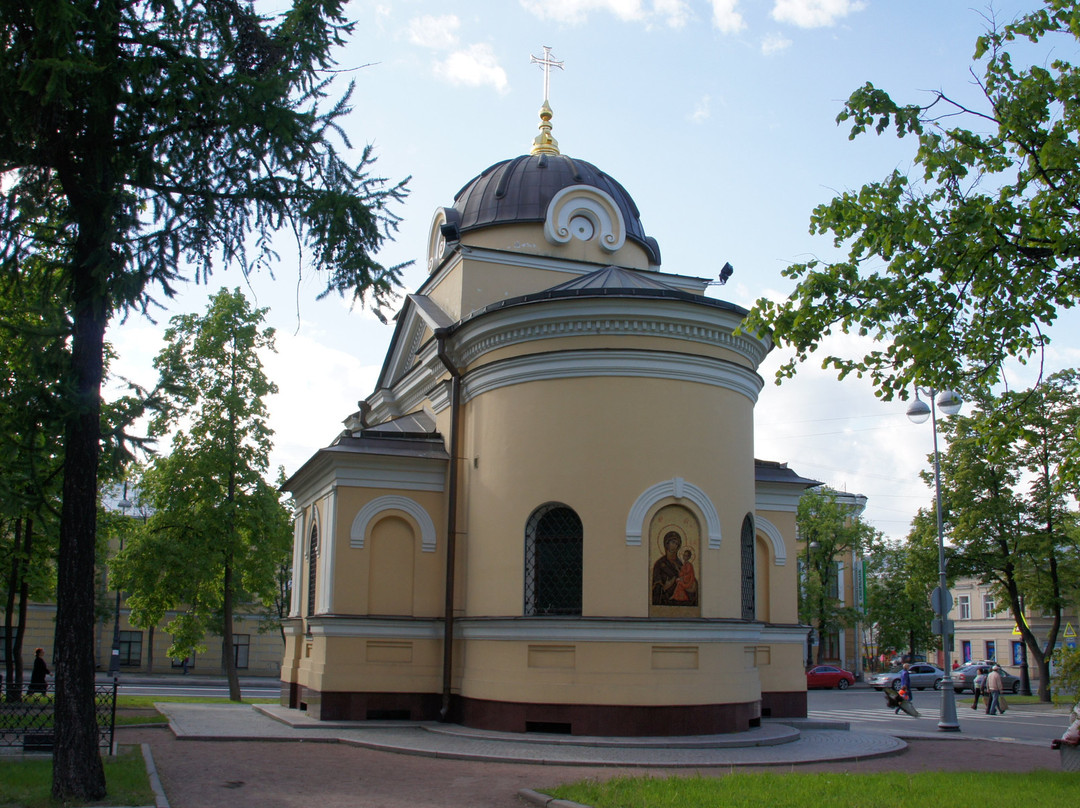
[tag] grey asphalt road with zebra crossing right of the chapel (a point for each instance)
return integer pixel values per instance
(866, 710)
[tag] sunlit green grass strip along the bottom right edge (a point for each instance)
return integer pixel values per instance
(827, 790)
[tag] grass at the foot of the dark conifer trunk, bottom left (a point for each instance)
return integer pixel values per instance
(29, 784)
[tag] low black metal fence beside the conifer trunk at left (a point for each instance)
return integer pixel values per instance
(29, 722)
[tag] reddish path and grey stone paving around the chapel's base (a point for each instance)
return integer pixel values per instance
(229, 756)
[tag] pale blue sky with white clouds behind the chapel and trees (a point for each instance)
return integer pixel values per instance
(720, 120)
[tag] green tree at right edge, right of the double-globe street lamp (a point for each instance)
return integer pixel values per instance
(1009, 503)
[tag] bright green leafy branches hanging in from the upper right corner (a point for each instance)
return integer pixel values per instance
(969, 260)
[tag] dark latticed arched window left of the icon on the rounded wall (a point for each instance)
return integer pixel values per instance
(553, 561)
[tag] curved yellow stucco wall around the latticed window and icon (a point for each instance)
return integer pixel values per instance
(520, 441)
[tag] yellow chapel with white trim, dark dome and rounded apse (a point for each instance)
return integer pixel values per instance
(548, 517)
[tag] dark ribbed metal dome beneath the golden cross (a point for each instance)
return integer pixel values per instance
(521, 190)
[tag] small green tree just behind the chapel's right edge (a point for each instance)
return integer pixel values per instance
(831, 531)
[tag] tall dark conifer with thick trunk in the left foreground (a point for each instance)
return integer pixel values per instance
(145, 142)
